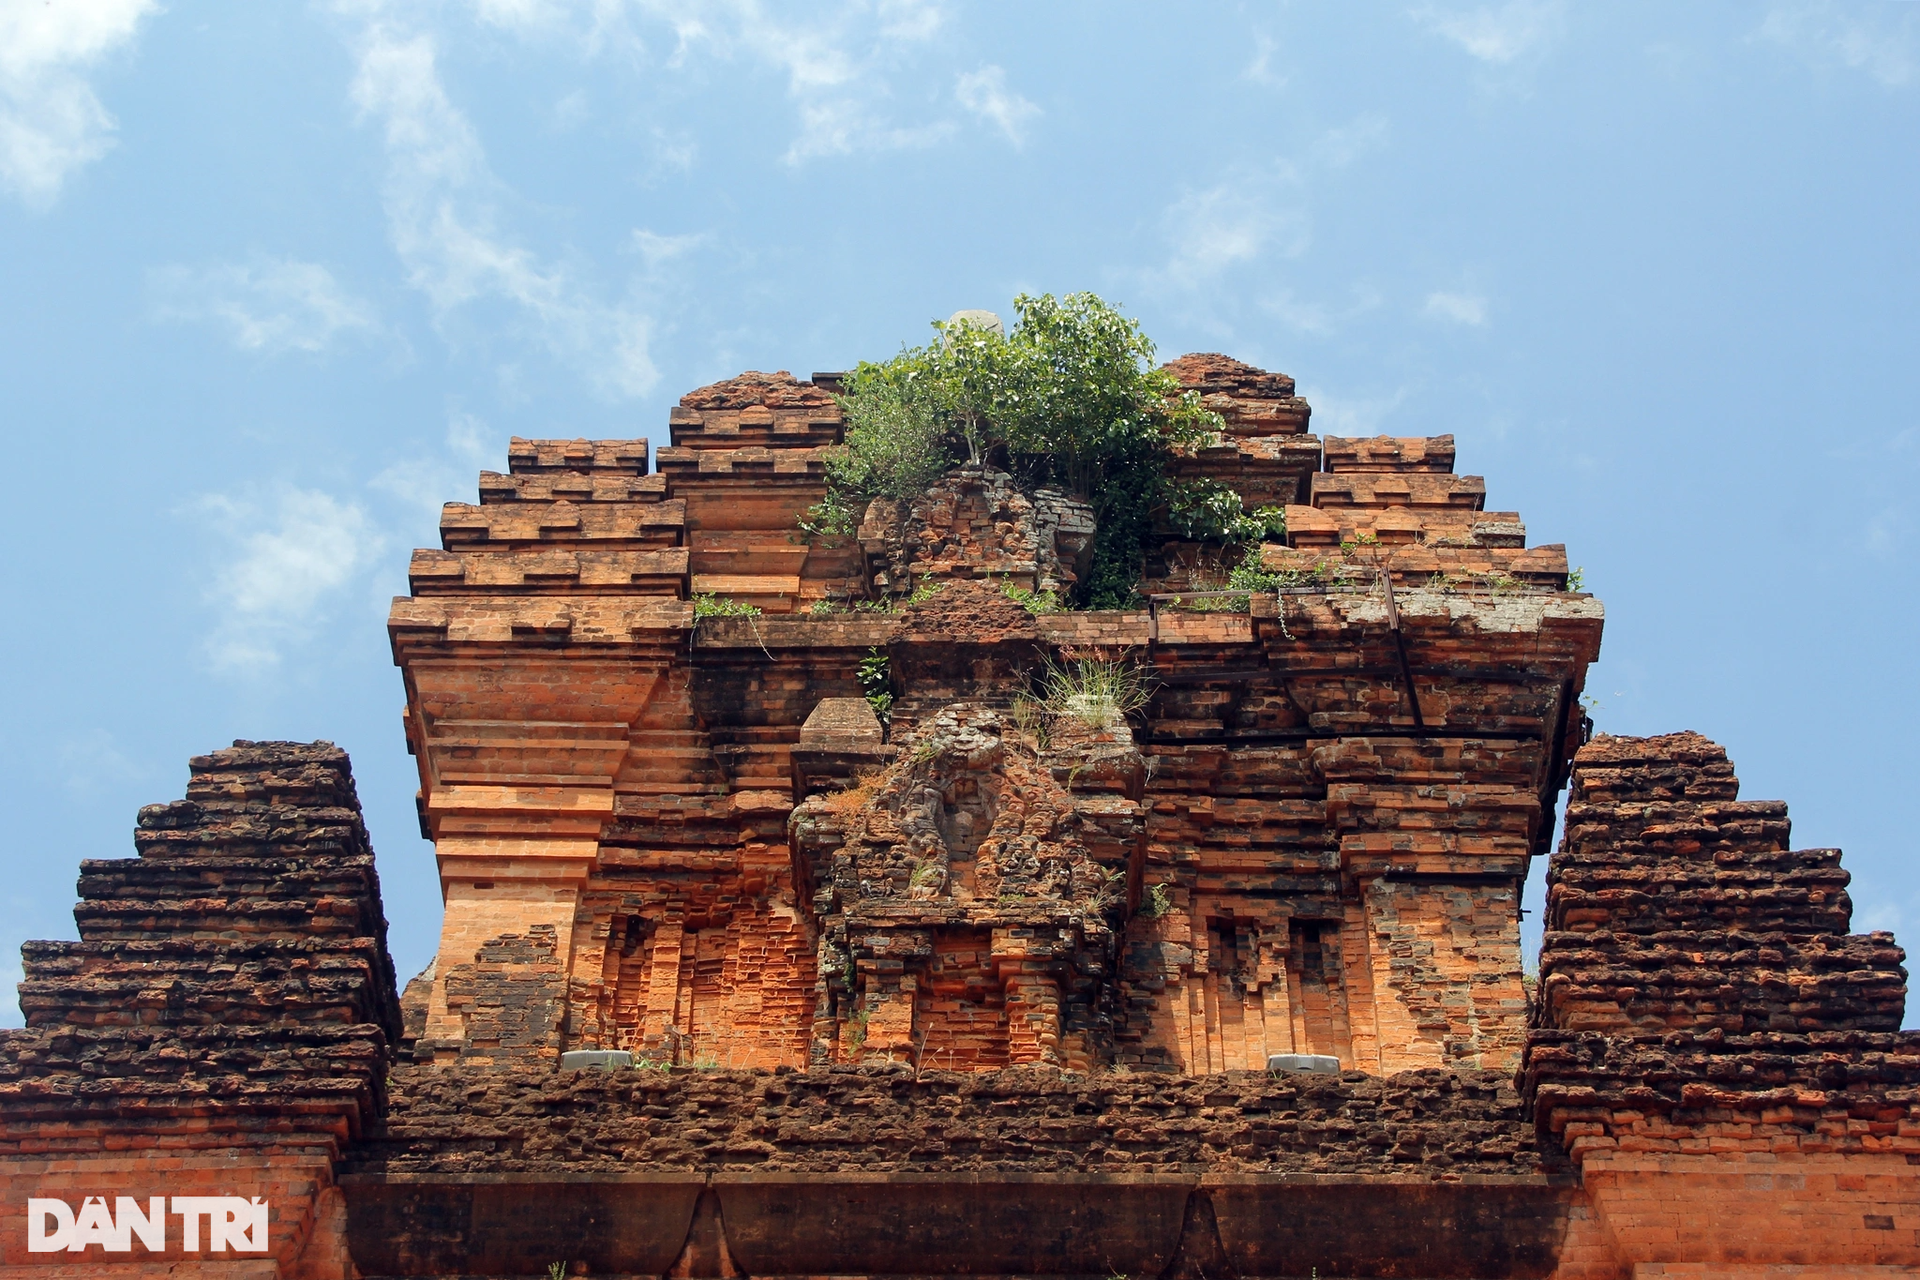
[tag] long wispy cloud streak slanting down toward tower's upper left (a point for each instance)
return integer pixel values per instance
(444, 225)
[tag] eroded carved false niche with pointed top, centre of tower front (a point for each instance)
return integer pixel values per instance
(965, 914)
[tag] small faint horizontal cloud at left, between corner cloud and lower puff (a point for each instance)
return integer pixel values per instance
(270, 304)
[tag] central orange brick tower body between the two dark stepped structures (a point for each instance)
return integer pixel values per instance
(1332, 807)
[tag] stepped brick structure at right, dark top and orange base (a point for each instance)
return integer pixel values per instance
(1721, 1060)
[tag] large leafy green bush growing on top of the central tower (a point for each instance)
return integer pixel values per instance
(1068, 398)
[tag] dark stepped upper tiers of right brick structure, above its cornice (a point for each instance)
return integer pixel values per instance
(1675, 907)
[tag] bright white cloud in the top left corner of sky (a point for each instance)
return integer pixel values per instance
(51, 122)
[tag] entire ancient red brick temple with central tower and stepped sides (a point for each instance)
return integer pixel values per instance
(907, 957)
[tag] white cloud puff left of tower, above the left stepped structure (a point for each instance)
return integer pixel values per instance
(293, 552)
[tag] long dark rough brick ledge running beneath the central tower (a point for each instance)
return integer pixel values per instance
(1429, 1124)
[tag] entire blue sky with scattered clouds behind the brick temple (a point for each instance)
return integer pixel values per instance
(277, 281)
